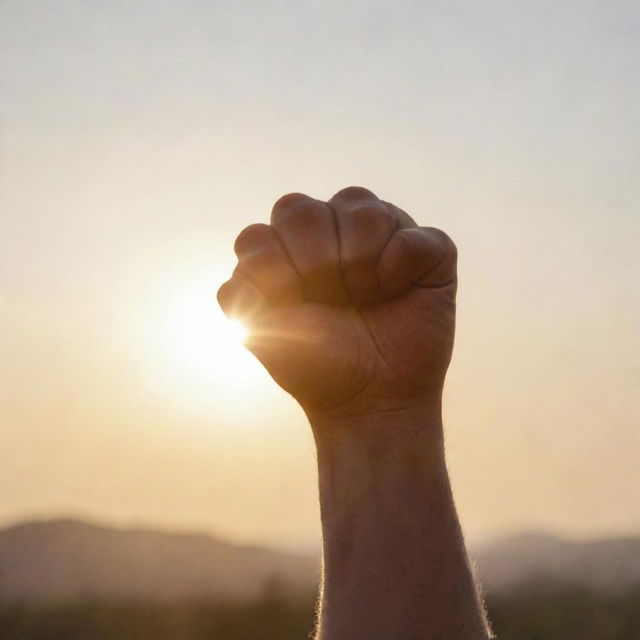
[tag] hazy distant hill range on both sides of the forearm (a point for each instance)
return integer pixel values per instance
(68, 560)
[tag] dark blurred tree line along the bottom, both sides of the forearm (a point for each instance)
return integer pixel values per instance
(538, 612)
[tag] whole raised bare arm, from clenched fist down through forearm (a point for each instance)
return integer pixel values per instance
(350, 306)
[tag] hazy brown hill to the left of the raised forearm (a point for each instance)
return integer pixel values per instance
(68, 560)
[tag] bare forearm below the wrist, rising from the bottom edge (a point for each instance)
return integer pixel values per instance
(395, 565)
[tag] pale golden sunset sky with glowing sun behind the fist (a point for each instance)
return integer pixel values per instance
(138, 138)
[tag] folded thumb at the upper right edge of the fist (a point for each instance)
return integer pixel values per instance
(418, 257)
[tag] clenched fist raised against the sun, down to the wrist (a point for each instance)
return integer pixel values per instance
(350, 305)
